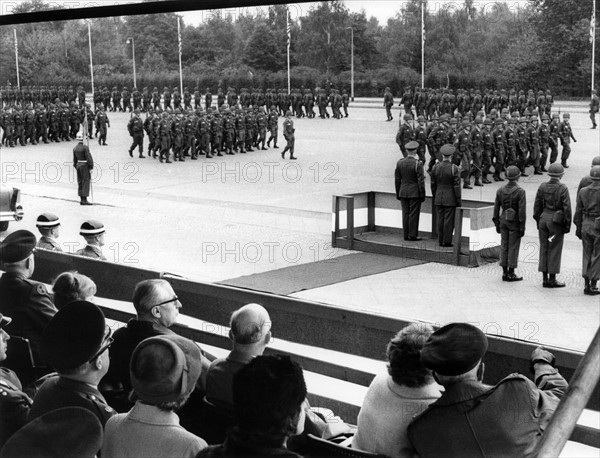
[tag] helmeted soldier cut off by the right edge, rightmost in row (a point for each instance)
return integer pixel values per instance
(587, 221)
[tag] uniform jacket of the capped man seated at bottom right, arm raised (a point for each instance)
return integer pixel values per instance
(476, 420)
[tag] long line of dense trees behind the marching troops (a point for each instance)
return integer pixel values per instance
(533, 44)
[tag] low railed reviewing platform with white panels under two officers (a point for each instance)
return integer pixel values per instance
(359, 218)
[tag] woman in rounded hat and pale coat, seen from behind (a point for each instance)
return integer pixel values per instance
(164, 372)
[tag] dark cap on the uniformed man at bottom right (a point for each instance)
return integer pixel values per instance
(454, 349)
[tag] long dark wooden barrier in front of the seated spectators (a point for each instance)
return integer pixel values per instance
(295, 320)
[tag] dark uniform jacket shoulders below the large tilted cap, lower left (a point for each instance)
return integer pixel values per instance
(58, 392)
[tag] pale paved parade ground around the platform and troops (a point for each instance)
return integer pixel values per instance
(231, 216)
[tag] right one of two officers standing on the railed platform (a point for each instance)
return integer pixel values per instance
(445, 188)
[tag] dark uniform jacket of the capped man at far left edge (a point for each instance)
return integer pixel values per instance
(29, 304)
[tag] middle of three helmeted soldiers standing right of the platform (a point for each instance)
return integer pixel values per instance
(552, 212)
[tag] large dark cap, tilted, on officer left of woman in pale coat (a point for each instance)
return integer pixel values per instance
(73, 335)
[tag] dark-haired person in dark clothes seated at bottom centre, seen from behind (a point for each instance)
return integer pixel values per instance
(268, 396)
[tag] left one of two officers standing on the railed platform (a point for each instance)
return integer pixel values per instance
(410, 190)
